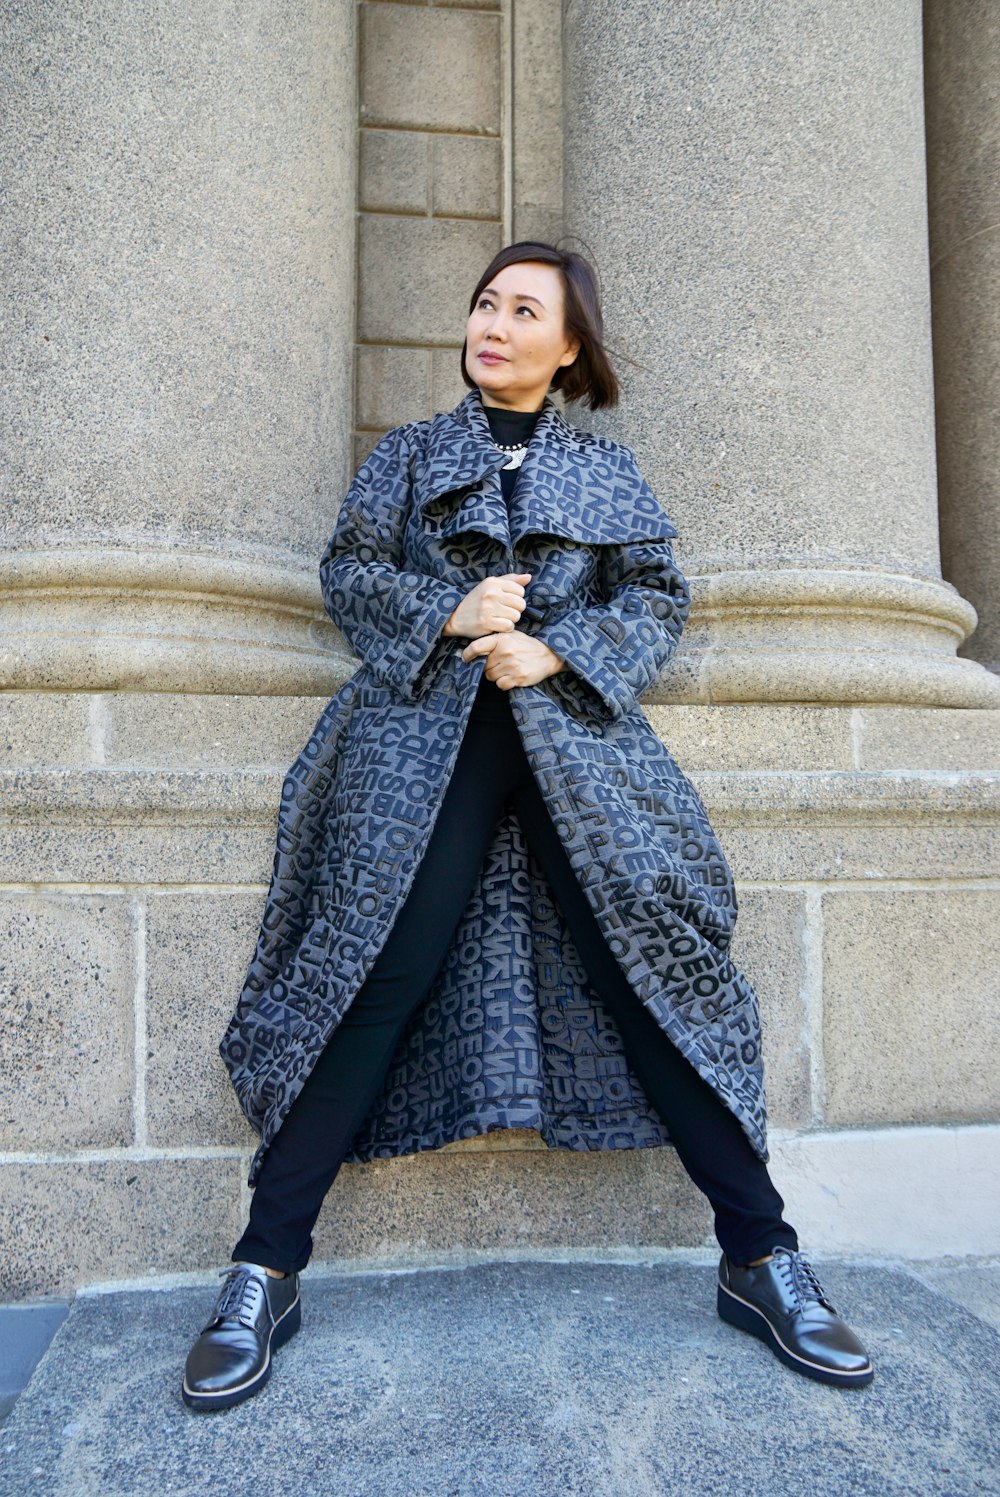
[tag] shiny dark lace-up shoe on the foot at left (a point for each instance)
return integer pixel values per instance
(231, 1360)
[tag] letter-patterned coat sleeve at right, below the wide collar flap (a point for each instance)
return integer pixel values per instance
(621, 646)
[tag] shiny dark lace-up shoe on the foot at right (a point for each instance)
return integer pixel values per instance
(784, 1305)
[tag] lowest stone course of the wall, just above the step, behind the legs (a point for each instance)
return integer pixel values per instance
(893, 1192)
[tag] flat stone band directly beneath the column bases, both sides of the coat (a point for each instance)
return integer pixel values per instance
(204, 731)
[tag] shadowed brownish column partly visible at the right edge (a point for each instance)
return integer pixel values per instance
(963, 155)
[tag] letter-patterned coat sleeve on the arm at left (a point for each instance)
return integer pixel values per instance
(393, 619)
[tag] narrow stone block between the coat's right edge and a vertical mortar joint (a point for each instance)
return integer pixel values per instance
(770, 947)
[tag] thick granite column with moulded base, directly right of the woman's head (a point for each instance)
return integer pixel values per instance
(752, 183)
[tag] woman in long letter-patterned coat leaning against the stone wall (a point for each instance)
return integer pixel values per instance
(481, 809)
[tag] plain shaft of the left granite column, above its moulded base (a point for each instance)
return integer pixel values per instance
(179, 239)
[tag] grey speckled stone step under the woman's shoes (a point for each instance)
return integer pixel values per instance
(520, 1379)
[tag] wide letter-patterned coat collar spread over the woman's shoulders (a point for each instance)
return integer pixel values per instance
(573, 484)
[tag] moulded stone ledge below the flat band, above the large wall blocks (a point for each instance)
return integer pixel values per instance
(112, 827)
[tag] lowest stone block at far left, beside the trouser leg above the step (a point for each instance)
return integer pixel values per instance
(97, 1221)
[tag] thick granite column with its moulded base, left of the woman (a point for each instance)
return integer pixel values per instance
(179, 284)
